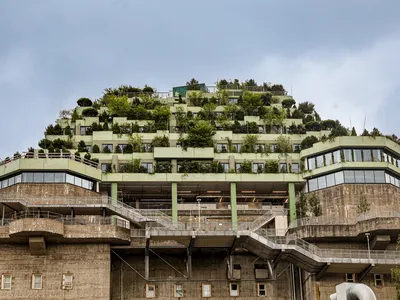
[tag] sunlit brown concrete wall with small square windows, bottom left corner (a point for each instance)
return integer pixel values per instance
(89, 264)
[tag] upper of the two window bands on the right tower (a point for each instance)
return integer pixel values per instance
(352, 155)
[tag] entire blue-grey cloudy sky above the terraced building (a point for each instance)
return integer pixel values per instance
(341, 55)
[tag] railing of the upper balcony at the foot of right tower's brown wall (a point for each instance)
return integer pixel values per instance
(331, 220)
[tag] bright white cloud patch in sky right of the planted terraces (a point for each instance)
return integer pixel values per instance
(344, 85)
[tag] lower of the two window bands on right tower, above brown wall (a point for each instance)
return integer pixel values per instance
(351, 176)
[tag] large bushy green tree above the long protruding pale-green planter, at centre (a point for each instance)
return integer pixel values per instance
(201, 135)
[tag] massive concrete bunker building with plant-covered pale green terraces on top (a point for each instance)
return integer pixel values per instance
(234, 192)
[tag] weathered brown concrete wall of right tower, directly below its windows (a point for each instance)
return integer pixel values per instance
(341, 201)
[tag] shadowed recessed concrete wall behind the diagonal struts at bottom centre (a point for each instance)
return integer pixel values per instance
(207, 267)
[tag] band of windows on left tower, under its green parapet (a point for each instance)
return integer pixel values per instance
(47, 177)
